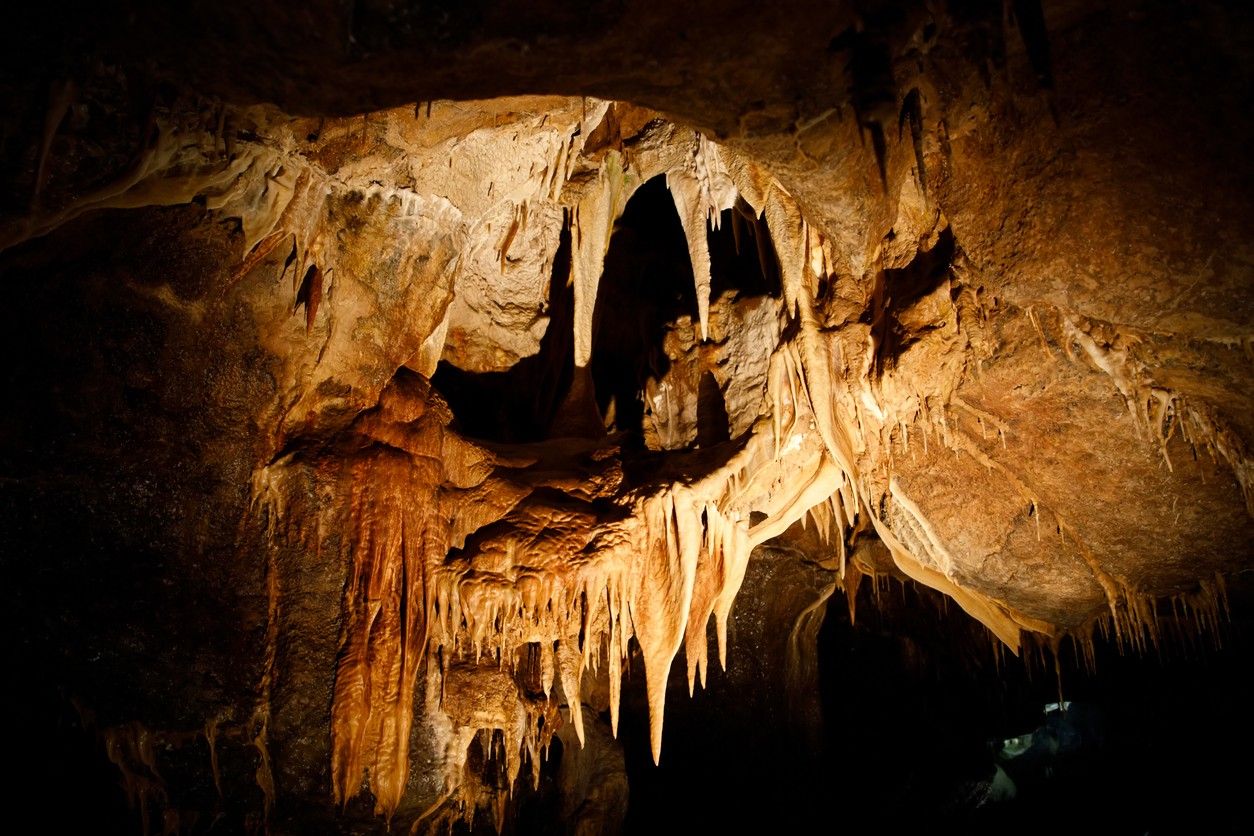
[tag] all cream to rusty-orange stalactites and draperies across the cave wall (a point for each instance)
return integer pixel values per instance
(486, 583)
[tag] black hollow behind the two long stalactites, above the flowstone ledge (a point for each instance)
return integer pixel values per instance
(645, 294)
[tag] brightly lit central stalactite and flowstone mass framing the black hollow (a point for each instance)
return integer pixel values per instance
(557, 577)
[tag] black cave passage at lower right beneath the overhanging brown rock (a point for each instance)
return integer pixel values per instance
(1138, 744)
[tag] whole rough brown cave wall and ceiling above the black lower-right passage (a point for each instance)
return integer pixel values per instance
(364, 449)
